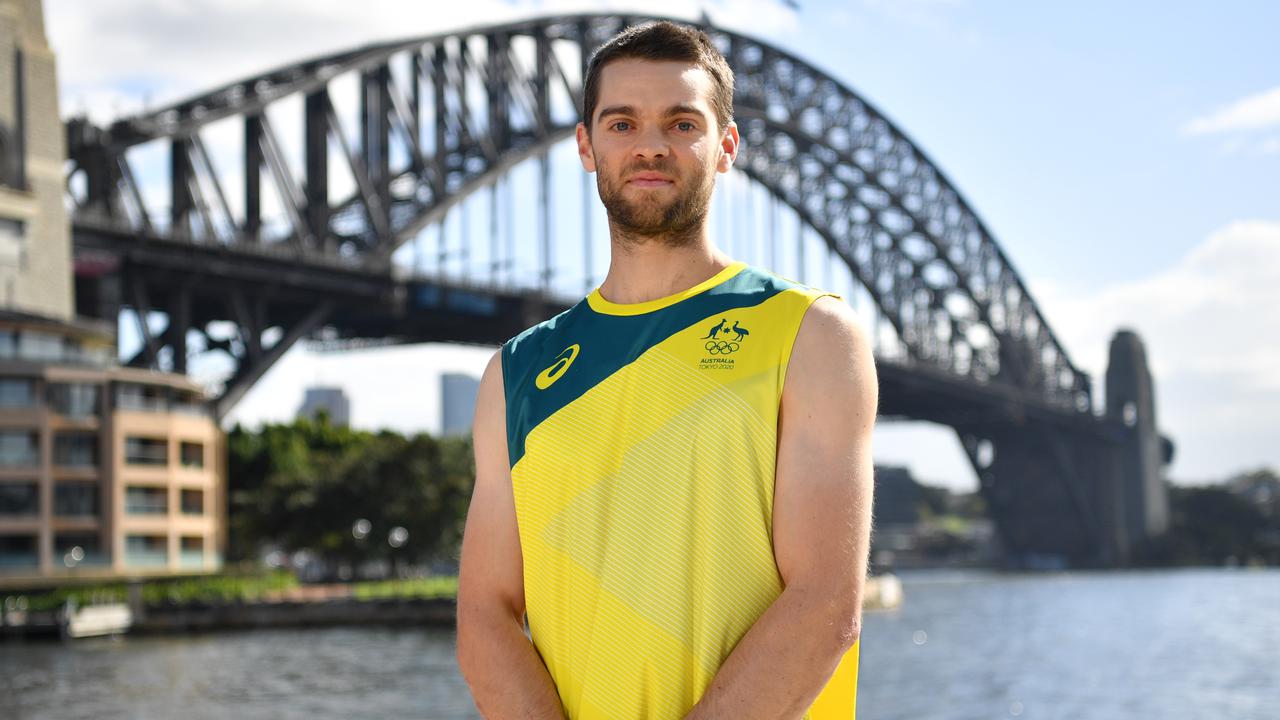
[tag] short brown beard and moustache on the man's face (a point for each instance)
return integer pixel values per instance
(676, 222)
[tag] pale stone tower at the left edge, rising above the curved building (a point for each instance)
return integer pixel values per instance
(35, 235)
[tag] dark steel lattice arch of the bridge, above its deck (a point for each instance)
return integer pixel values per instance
(906, 233)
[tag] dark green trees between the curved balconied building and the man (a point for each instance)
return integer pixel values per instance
(304, 486)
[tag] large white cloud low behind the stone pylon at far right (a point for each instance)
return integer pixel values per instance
(1213, 338)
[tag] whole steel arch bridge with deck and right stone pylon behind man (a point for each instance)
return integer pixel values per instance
(282, 208)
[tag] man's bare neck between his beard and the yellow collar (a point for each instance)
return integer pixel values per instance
(644, 270)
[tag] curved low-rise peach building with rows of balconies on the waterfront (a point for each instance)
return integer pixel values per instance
(104, 471)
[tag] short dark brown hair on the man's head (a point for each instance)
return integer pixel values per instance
(662, 40)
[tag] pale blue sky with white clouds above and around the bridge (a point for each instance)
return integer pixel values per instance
(1126, 157)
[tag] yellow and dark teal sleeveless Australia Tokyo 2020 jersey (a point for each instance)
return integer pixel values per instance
(643, 444)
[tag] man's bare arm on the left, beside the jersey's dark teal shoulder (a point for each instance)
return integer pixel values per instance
(499, 662)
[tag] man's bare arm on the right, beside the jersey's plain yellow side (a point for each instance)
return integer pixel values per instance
(822, 513)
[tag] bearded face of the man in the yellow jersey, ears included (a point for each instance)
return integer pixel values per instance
(656, 148)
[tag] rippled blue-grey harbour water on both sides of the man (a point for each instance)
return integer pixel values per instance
(1180, 645)
